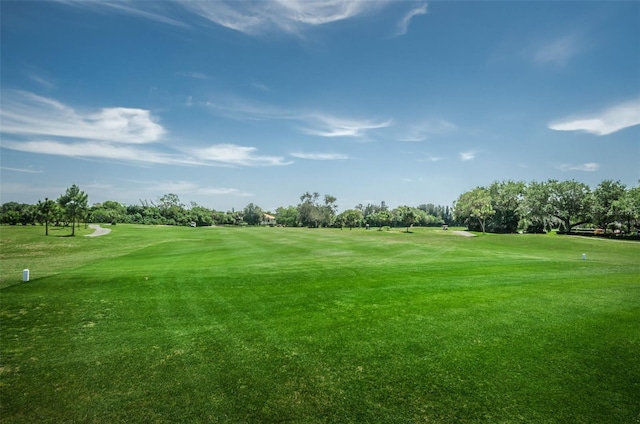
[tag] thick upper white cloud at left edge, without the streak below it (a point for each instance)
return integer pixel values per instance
(26, 113)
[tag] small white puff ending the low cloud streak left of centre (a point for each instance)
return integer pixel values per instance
(236, 155)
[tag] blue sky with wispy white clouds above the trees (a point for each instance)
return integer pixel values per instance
(228, 103)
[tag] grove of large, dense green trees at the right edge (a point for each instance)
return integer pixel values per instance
(509, 206)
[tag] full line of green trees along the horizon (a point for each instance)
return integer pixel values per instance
(502, 207)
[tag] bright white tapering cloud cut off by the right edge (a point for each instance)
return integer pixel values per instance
(614, 119)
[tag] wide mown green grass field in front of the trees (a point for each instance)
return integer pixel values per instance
(163, 324)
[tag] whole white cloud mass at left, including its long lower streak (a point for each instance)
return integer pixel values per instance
(36, 124)
